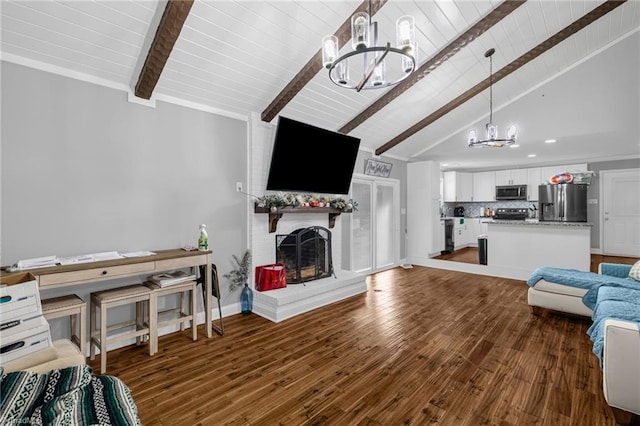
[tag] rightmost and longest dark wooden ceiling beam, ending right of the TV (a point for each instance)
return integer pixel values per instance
(549, 43)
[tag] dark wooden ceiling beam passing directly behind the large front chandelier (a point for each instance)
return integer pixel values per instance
(311, 68)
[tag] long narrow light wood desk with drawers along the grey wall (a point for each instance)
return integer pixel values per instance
(162, 261)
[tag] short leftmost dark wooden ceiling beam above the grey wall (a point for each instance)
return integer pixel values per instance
(175, 13)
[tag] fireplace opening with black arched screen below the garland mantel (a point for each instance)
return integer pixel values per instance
(306, 254)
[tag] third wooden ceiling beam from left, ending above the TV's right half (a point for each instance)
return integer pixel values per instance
(495, 16)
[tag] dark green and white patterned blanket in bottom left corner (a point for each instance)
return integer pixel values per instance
(71, 396)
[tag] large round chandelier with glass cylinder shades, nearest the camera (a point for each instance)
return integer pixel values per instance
(364, 40)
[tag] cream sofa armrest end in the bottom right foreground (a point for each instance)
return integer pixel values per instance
(621, 365)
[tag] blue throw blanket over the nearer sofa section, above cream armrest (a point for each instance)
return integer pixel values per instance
(613, 303)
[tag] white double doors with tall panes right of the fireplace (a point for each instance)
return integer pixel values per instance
(375, 226)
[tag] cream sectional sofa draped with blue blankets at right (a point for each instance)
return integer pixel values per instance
(611, 298)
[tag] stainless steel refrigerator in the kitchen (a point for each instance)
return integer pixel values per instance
(563, 203)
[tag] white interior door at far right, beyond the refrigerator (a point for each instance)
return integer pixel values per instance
(621, 212)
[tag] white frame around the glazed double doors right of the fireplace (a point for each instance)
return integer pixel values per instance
(395, 183)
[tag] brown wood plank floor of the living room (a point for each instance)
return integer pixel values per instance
(422, 346)
